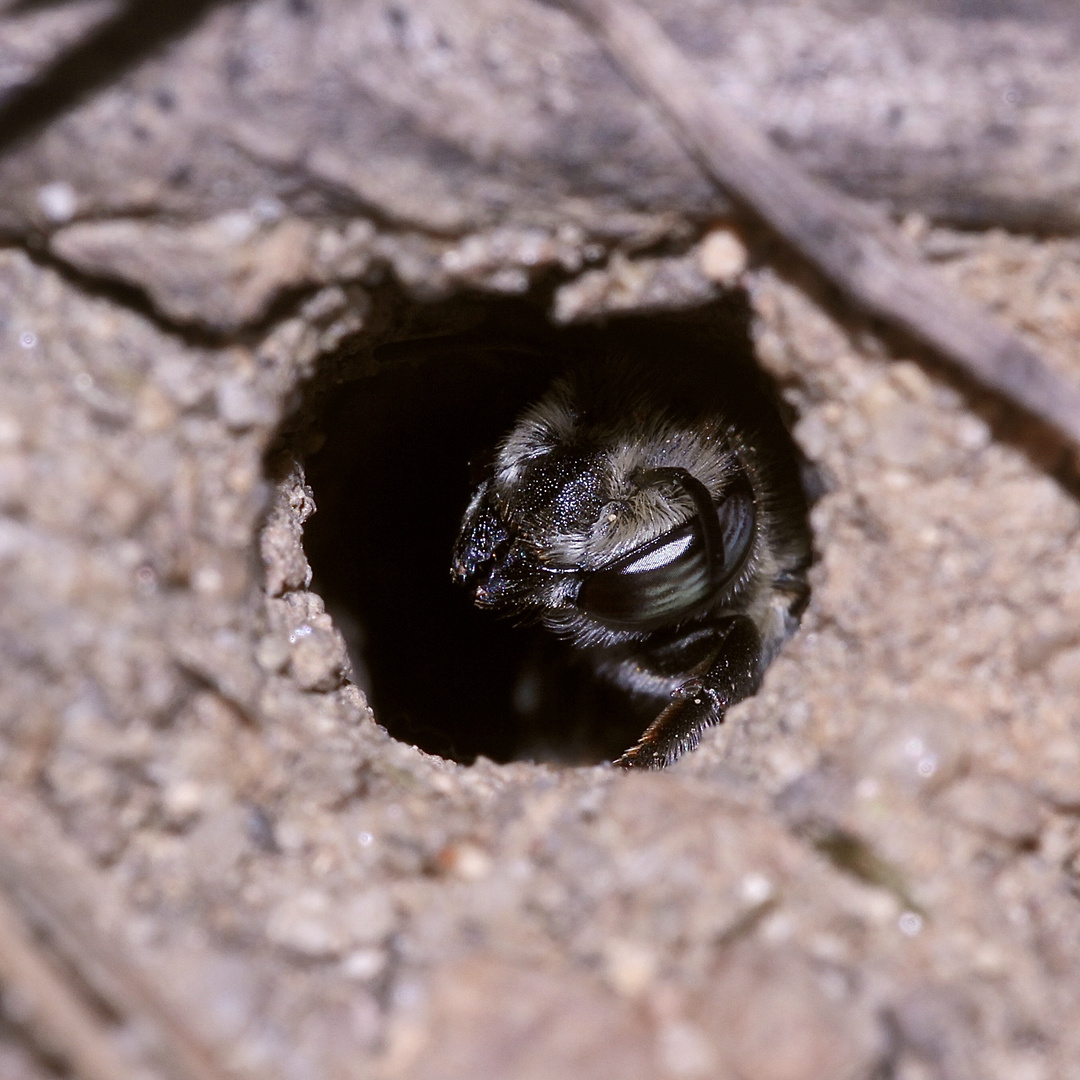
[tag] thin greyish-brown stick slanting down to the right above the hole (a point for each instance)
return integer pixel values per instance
(854, 247)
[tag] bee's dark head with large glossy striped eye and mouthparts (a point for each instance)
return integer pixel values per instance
(556, 544)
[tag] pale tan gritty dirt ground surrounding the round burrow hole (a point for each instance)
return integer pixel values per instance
(871, 871)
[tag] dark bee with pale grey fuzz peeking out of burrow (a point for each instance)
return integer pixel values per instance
(649, 509)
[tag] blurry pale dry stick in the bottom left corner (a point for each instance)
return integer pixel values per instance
(50, 888)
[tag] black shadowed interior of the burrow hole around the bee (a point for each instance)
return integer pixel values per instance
(402, 441)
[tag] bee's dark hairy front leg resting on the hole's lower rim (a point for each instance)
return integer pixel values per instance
(733, 674)
